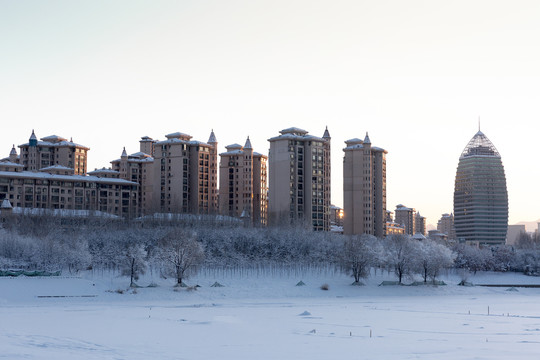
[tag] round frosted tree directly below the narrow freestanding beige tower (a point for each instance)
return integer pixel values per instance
(358, 254)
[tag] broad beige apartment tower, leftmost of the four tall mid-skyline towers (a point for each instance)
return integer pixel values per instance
(185, 175)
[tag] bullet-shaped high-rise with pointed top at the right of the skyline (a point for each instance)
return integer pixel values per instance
(480, 194)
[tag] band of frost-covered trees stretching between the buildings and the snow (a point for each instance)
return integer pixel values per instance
(178, 249)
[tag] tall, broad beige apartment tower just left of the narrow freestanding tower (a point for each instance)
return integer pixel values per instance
(299, 183)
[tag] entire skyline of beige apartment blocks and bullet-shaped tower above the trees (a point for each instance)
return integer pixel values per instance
(289, 186)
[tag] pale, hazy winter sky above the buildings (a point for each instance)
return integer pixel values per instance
(416, 75)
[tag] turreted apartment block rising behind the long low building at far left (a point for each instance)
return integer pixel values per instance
(53, 150)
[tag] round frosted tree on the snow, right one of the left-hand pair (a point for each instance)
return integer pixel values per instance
(180, 254)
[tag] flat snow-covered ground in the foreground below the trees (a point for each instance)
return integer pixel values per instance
(263, 315)
